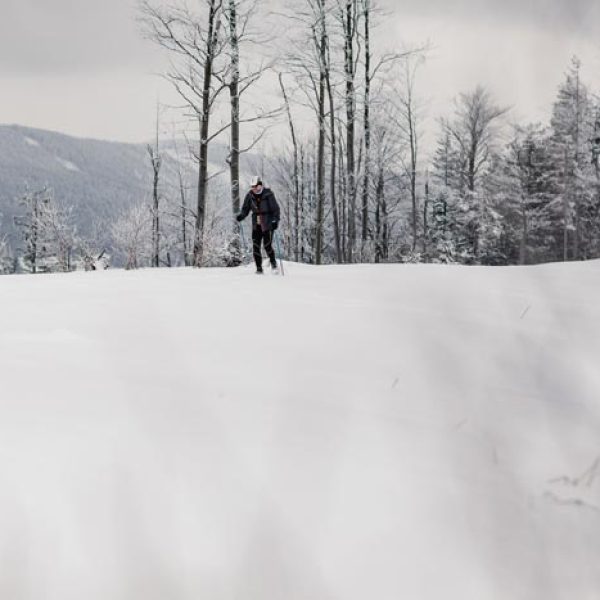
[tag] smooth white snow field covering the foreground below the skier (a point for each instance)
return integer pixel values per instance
(406, 431)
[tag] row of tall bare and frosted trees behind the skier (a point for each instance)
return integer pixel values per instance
(349, 167)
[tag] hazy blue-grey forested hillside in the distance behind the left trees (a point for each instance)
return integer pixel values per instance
(94, 185)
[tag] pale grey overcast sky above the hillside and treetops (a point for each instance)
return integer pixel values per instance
(81, 66)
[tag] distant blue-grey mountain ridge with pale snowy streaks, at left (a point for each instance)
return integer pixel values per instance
(99, 178)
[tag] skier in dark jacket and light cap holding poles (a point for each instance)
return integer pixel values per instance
(265, 220)
